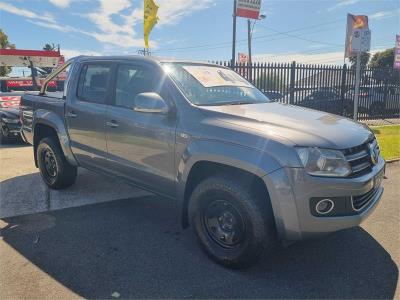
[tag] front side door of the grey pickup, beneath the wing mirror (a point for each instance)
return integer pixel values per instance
(140, 145)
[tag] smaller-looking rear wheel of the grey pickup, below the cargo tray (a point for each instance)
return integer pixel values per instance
(55, 170)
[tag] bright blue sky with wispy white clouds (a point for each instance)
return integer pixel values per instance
(306, 31)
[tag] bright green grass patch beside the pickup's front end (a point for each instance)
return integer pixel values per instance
(389, 140)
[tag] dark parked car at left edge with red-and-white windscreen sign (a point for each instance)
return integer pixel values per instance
(10, 125)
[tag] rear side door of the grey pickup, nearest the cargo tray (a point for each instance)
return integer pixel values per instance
(86, 111)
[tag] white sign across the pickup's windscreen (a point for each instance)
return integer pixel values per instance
(213, 76)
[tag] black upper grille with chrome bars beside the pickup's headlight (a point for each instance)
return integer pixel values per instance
(359, 158)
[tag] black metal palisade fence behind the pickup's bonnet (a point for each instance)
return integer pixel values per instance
(328, 88)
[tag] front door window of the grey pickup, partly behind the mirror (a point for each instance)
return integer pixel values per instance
(132, 80)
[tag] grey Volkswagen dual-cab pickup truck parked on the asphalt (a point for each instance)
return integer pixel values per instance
(248, 173)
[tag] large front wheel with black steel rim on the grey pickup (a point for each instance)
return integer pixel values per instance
(233, 224)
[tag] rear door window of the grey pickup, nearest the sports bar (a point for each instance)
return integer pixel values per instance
(93, 82)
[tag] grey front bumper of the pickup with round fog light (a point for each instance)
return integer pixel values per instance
(294, 195)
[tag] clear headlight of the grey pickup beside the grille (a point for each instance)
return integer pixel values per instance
(323, 162)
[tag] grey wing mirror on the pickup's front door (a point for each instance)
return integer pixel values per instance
(150, 103)
